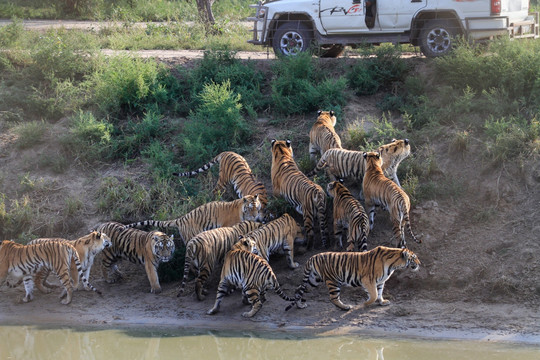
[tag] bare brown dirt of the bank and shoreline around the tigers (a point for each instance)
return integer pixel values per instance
(479, 277)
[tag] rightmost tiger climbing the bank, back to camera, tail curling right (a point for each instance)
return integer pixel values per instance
(381, 191)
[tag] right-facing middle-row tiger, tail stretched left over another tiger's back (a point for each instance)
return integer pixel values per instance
(210, 216)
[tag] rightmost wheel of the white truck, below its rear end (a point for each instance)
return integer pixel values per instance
(437, 38)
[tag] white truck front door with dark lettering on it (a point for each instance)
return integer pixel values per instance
(342, 16)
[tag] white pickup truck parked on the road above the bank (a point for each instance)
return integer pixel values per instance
(293, 26)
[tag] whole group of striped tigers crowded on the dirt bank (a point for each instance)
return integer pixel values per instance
(238, 234)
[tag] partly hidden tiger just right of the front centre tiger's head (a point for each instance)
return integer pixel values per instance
(278, 236)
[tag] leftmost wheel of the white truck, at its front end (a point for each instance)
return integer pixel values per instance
(291, 38)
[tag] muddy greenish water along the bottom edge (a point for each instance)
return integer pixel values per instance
(27, 342)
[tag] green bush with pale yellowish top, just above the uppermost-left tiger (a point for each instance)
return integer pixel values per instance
(215, 126)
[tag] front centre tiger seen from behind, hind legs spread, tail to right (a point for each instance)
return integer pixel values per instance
(250, 272)
